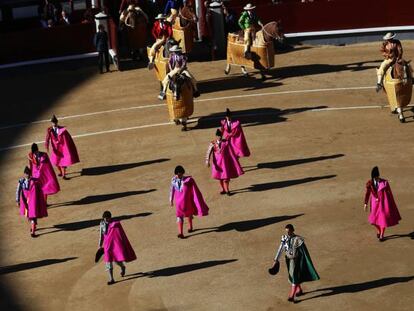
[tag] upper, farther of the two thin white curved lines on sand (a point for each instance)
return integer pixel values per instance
(197, 100)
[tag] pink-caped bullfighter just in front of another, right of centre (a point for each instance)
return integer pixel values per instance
(225, 164)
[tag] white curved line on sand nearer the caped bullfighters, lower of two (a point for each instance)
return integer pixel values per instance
(194, 120)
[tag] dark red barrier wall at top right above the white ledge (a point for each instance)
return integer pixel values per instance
(322, 15)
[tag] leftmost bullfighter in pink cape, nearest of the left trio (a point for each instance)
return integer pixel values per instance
(30, 199)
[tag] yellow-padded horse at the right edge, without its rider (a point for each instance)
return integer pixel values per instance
(398, 86)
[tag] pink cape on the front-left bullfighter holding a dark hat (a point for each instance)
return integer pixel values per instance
(116, 244)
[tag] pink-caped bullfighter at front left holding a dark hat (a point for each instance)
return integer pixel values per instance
(115, 245)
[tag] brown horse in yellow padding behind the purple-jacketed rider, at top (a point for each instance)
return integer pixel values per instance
(183, 28)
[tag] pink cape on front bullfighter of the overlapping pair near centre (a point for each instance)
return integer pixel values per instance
(225, 164)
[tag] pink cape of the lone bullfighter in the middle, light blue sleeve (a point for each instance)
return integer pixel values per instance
(189, 201)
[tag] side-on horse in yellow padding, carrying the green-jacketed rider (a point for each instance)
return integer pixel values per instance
(262, 51)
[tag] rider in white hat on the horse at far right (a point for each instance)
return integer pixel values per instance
(392, 50)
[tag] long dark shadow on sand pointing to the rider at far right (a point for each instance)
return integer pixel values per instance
(314, 69)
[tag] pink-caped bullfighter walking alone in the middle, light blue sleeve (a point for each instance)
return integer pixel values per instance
(188, 199)
